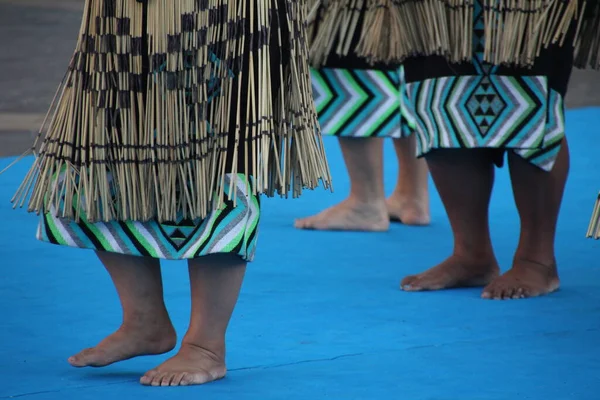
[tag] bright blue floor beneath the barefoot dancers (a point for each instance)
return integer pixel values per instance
(321, 316)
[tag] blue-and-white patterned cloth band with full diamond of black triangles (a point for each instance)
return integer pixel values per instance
(505, 112)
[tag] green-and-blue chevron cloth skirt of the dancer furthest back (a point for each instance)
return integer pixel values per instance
(353, 97)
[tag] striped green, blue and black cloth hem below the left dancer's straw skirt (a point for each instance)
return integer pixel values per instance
(231, 228)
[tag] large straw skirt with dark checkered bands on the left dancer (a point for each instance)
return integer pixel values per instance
(128, 151)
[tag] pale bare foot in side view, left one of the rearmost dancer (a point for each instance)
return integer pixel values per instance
(349, 215)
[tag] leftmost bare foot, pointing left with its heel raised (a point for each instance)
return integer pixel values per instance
(127, 343)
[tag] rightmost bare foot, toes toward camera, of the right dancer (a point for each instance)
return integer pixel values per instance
(525, 279)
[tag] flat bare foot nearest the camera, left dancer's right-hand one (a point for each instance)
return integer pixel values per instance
(192, 365)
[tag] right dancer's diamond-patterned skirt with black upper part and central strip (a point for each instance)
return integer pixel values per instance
(480, 105)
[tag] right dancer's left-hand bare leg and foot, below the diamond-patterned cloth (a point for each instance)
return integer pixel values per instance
(464, 180)
